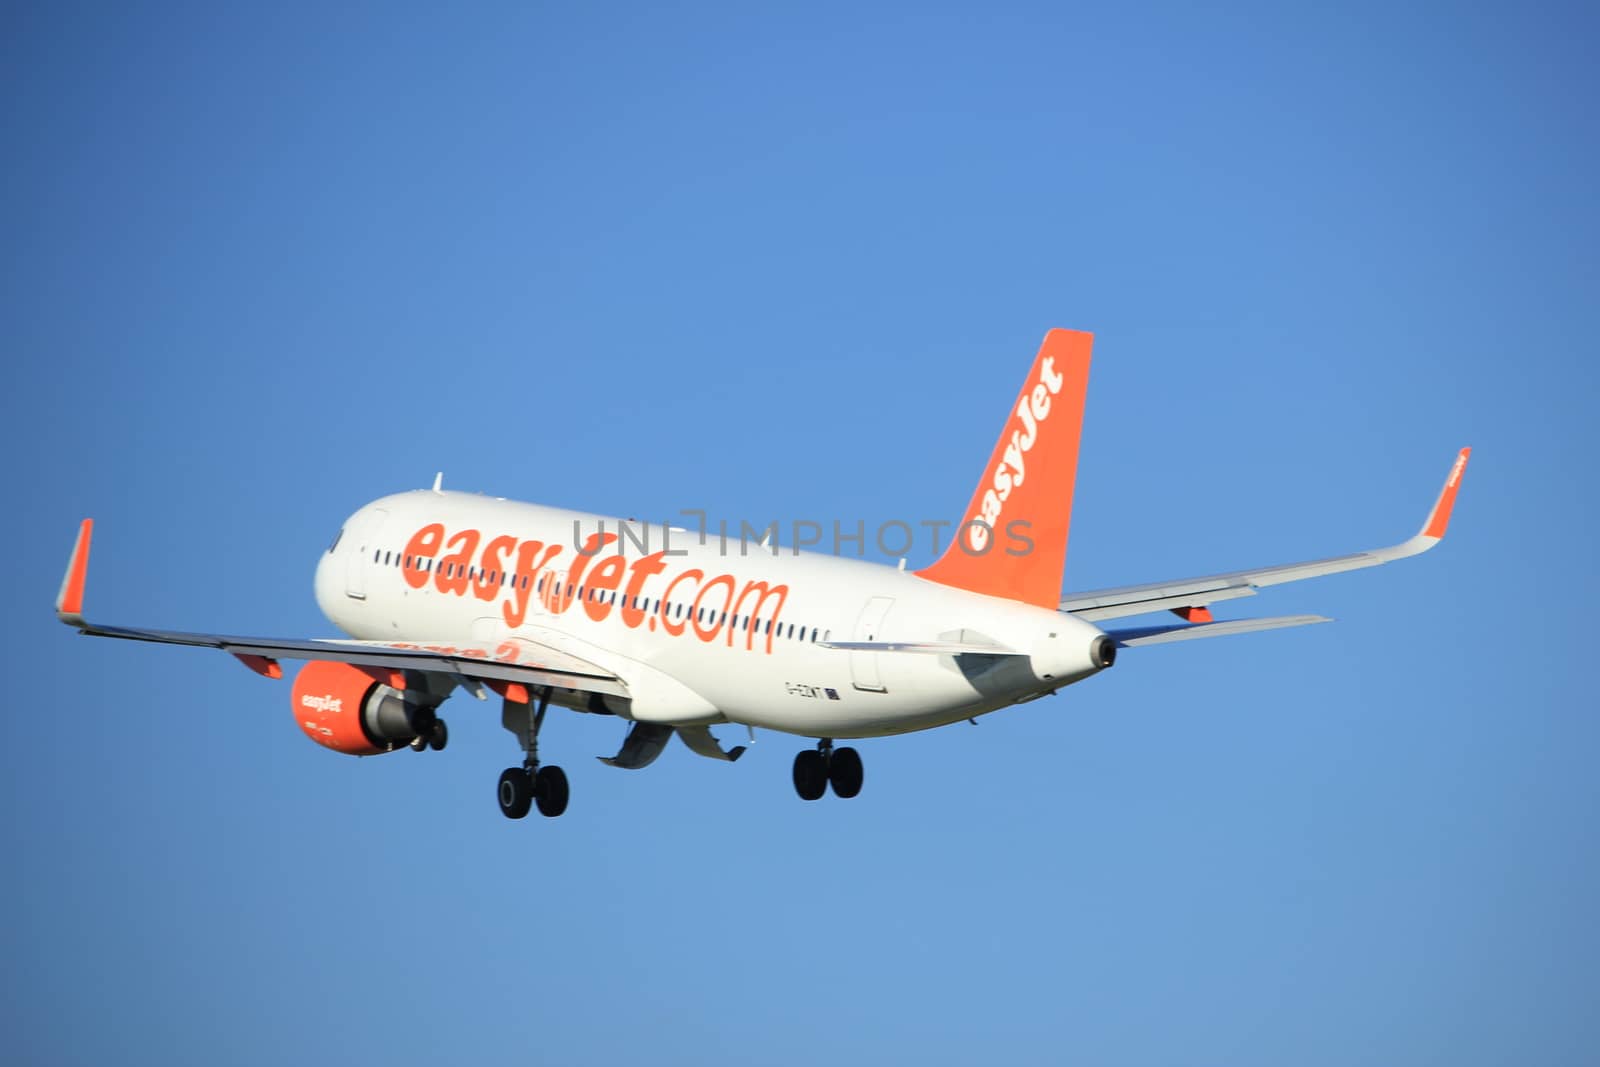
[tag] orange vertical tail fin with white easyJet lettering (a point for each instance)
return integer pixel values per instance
(1014, 538)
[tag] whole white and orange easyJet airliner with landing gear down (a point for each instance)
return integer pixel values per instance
(442, 589)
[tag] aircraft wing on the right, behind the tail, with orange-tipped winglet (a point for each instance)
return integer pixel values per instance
(1190, 596)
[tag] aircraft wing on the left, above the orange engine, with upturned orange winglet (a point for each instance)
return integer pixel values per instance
(514, 661)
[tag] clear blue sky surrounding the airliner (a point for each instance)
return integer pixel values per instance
(265, 265)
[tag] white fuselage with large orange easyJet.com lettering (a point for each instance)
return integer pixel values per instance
(698, 633)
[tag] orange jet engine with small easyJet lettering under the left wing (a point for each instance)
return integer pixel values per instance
(358, 711)
